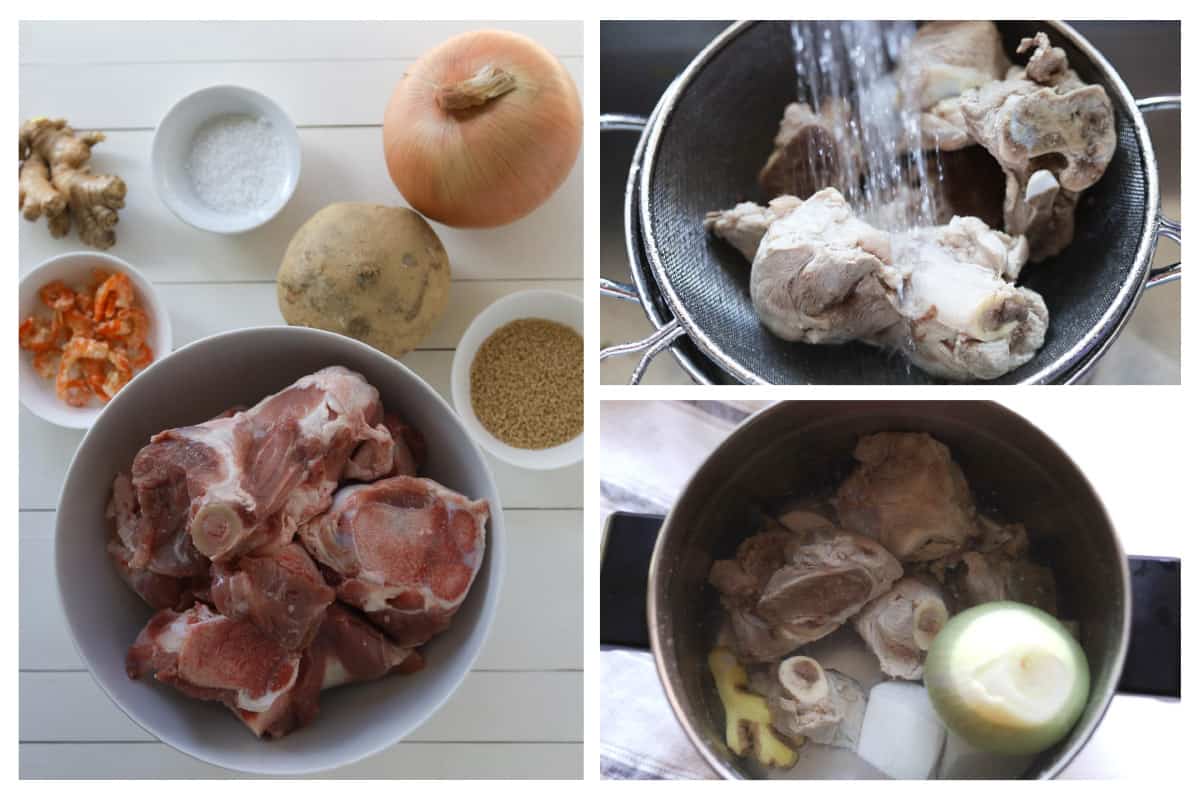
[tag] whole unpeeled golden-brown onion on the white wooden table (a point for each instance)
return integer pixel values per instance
(487, 163)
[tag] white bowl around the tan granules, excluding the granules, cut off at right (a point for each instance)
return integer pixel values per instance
(542, 304)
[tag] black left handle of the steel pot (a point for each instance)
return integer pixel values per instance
(626, 554)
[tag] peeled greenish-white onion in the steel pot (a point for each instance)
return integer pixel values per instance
(976, 637)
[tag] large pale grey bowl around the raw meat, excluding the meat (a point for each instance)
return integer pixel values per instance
(190, 386)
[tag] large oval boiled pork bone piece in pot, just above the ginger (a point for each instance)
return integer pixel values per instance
(785, 590)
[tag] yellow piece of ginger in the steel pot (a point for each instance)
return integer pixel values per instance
(747, 715)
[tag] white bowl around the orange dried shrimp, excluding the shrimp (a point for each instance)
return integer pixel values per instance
(74, 269)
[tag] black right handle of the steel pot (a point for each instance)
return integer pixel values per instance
(1153, 661)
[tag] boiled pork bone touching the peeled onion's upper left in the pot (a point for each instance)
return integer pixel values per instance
(899, 627)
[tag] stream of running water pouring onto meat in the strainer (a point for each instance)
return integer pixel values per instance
(880, 165)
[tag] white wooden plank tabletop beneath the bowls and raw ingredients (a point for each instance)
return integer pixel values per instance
(520, 713)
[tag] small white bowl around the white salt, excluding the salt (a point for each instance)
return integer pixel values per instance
(173, 145)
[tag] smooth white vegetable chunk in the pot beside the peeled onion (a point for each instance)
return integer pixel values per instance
(902, 735)
